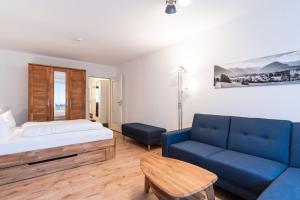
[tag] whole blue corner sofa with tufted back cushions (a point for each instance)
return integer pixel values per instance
(253, 158)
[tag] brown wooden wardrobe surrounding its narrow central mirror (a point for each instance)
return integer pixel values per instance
(41, 92)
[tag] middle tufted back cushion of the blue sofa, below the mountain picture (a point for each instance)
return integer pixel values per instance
(264, 138)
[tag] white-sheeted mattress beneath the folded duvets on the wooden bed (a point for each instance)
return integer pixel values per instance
(19, 144)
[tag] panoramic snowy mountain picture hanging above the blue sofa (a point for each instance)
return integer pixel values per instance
(271, 70)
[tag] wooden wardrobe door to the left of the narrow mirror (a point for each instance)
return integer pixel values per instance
(40, 93)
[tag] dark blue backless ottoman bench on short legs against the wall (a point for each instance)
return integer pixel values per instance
(142, 133)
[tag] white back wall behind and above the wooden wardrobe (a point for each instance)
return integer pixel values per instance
(14, 77)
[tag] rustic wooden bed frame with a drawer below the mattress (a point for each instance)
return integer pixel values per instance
(21, 166)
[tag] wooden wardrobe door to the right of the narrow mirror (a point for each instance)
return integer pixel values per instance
(77, 96)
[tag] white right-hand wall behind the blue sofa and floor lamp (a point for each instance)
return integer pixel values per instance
(151, 87)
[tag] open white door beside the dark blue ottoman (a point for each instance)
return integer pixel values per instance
(116, 104)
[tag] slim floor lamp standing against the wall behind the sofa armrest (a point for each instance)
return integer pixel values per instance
(180, 71)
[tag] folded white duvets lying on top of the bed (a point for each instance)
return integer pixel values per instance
(33, 129)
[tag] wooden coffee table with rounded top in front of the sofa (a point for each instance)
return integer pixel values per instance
(172, 179)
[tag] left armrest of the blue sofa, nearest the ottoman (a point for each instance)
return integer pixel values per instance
(174, 137)
